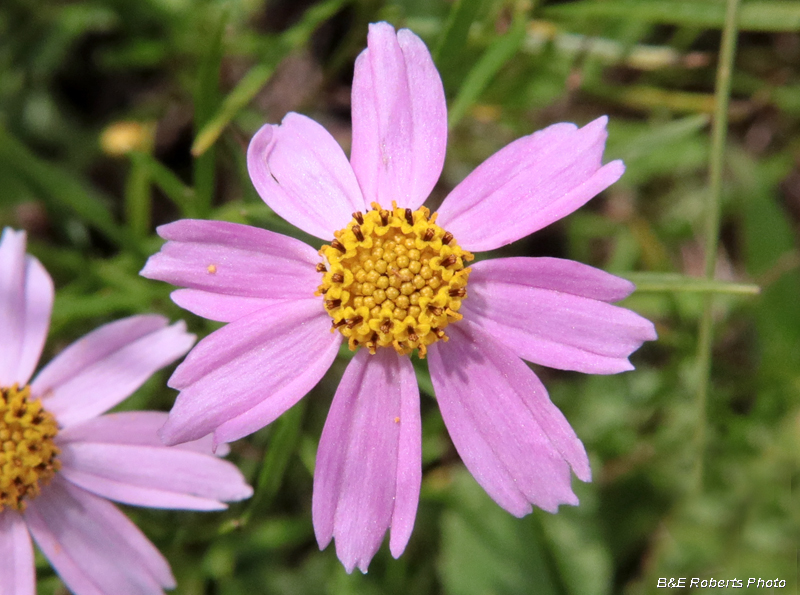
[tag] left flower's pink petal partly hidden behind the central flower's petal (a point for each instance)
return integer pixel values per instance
(132, 427)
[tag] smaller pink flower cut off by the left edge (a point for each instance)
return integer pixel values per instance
(60, 458)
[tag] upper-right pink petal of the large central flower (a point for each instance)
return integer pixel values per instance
(529, 184)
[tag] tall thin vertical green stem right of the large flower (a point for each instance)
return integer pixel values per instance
(718, 133)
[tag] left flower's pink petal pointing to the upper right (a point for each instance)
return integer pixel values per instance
(108, 365)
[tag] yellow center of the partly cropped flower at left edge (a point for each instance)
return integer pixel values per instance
(27, 451)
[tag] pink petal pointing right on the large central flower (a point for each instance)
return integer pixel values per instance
(544, 314)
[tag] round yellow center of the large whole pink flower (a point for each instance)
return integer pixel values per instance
(393, 279)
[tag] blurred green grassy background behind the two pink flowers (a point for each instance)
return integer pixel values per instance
(118, 116)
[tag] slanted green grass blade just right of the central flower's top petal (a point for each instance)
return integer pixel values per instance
(495, 57)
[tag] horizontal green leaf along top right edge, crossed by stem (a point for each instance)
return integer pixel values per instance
(753, 16)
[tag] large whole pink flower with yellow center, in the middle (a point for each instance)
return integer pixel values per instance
(393, 279)
